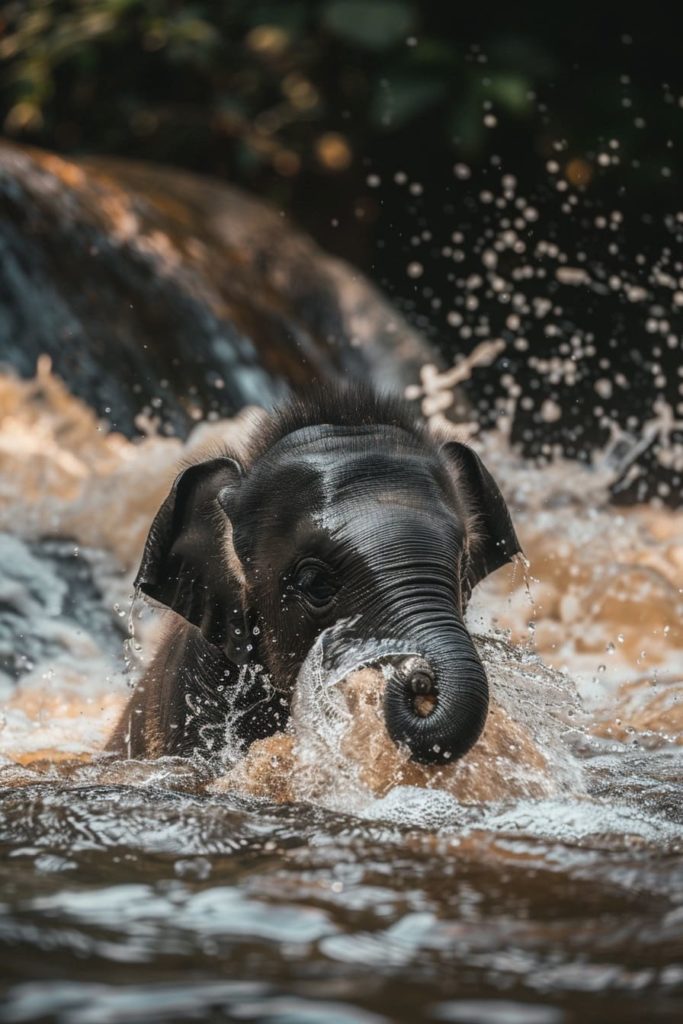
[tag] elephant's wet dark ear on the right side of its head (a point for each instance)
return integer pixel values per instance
(497, 540)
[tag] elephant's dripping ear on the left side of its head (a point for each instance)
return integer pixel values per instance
(189, 565)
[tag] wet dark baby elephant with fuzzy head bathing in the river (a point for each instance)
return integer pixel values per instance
(346, 511)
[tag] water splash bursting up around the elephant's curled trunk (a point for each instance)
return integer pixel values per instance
(339, 755)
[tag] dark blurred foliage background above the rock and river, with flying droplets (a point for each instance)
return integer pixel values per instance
(409, 139)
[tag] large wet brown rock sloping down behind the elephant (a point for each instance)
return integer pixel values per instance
(157, 291)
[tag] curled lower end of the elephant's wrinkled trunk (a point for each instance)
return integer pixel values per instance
(461, 690)
